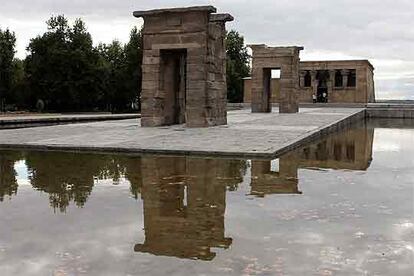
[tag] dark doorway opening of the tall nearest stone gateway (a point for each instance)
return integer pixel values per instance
(173, 78)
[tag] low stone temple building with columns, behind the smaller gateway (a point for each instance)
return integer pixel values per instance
(340, 81)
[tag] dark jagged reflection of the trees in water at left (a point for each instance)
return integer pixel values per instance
(67, 177)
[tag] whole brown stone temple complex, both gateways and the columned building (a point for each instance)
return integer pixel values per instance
(184, 72)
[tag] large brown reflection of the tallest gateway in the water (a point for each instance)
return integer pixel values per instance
(184, 204)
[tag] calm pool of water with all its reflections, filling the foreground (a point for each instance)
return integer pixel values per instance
(341, 206)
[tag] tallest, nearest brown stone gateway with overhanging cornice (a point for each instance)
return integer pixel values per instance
(184, 67)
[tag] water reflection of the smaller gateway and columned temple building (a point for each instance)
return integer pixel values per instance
(350, 149)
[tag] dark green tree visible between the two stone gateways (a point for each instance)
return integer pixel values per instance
(237, 66)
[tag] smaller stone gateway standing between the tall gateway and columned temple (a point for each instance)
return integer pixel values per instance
(285, 59)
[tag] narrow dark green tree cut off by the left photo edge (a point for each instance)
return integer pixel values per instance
(7, 51)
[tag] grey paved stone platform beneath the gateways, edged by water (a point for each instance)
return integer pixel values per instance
(259, 135)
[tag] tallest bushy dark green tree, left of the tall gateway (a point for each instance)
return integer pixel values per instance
(61, 67)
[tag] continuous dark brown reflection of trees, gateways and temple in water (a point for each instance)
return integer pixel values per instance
(184, 198)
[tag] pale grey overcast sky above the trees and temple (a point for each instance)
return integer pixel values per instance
(378, 30)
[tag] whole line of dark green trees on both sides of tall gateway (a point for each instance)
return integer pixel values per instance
(64, 72)
